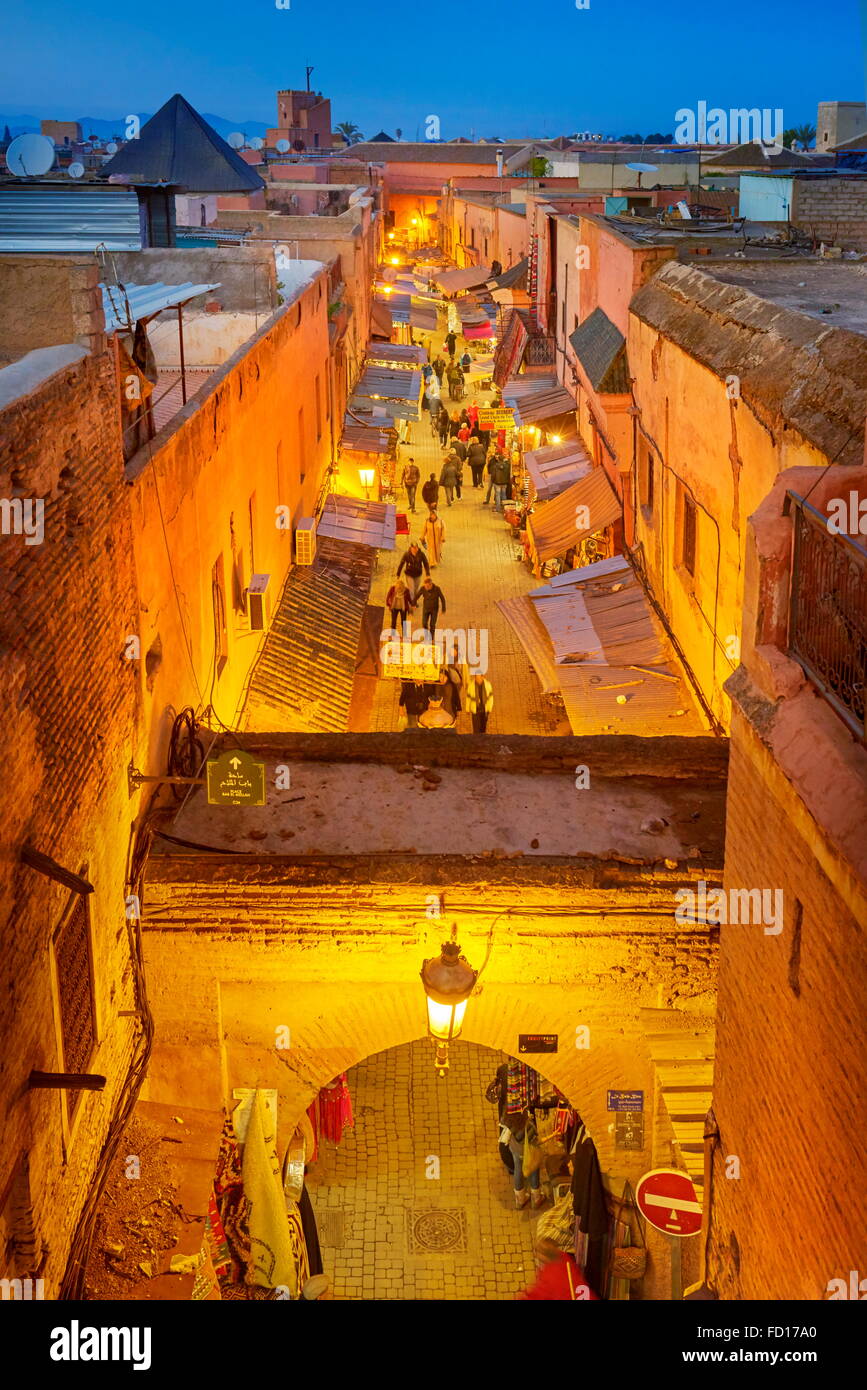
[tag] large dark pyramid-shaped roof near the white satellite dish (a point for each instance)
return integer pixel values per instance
(179, 147)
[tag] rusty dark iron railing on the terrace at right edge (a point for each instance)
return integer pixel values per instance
(829, 612)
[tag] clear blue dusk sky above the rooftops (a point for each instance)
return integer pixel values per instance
(506, 69)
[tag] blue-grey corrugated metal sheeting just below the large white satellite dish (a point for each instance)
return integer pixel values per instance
(69, 218)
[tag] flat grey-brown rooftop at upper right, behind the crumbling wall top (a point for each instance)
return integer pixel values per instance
(833, 293)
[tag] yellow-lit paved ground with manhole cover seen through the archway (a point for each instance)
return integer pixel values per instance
(388, 1227)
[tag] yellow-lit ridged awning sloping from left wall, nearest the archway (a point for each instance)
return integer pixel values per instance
(305, 675)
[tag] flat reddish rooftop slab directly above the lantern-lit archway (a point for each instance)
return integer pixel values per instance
(420, 808)
